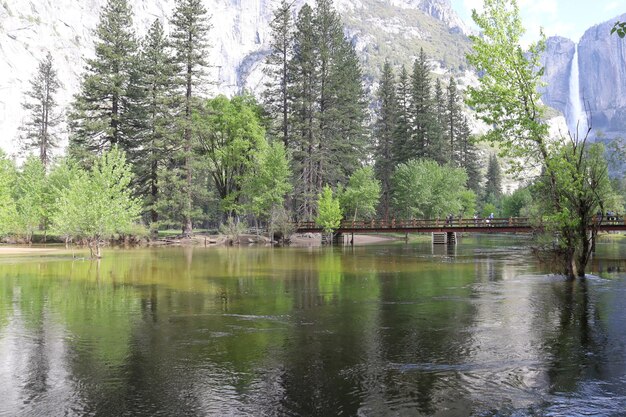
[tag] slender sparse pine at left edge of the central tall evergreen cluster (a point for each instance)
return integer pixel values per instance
(276, 96)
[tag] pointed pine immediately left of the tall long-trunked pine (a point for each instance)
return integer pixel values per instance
(156, 69)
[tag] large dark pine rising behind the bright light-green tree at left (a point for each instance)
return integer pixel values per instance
(99, 117)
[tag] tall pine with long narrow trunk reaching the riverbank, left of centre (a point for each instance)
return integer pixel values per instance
(190, 28)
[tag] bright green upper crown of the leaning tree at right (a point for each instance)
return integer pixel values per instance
(507, 97)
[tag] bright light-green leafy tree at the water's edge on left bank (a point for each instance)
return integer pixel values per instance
(98, 203)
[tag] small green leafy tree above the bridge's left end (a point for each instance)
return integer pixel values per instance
(360, 197)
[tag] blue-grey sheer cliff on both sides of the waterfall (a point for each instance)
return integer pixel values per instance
(602, 78)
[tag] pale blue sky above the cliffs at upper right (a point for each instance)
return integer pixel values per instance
(568, 18)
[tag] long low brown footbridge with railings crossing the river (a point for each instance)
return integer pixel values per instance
(457, 225)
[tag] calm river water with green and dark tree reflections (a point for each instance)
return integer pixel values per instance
(398, 330)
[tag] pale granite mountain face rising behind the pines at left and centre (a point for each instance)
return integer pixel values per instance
(239, 38)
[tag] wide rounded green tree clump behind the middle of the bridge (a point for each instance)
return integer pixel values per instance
(425, 189)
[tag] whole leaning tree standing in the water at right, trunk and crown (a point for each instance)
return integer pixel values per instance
(507, 99)
